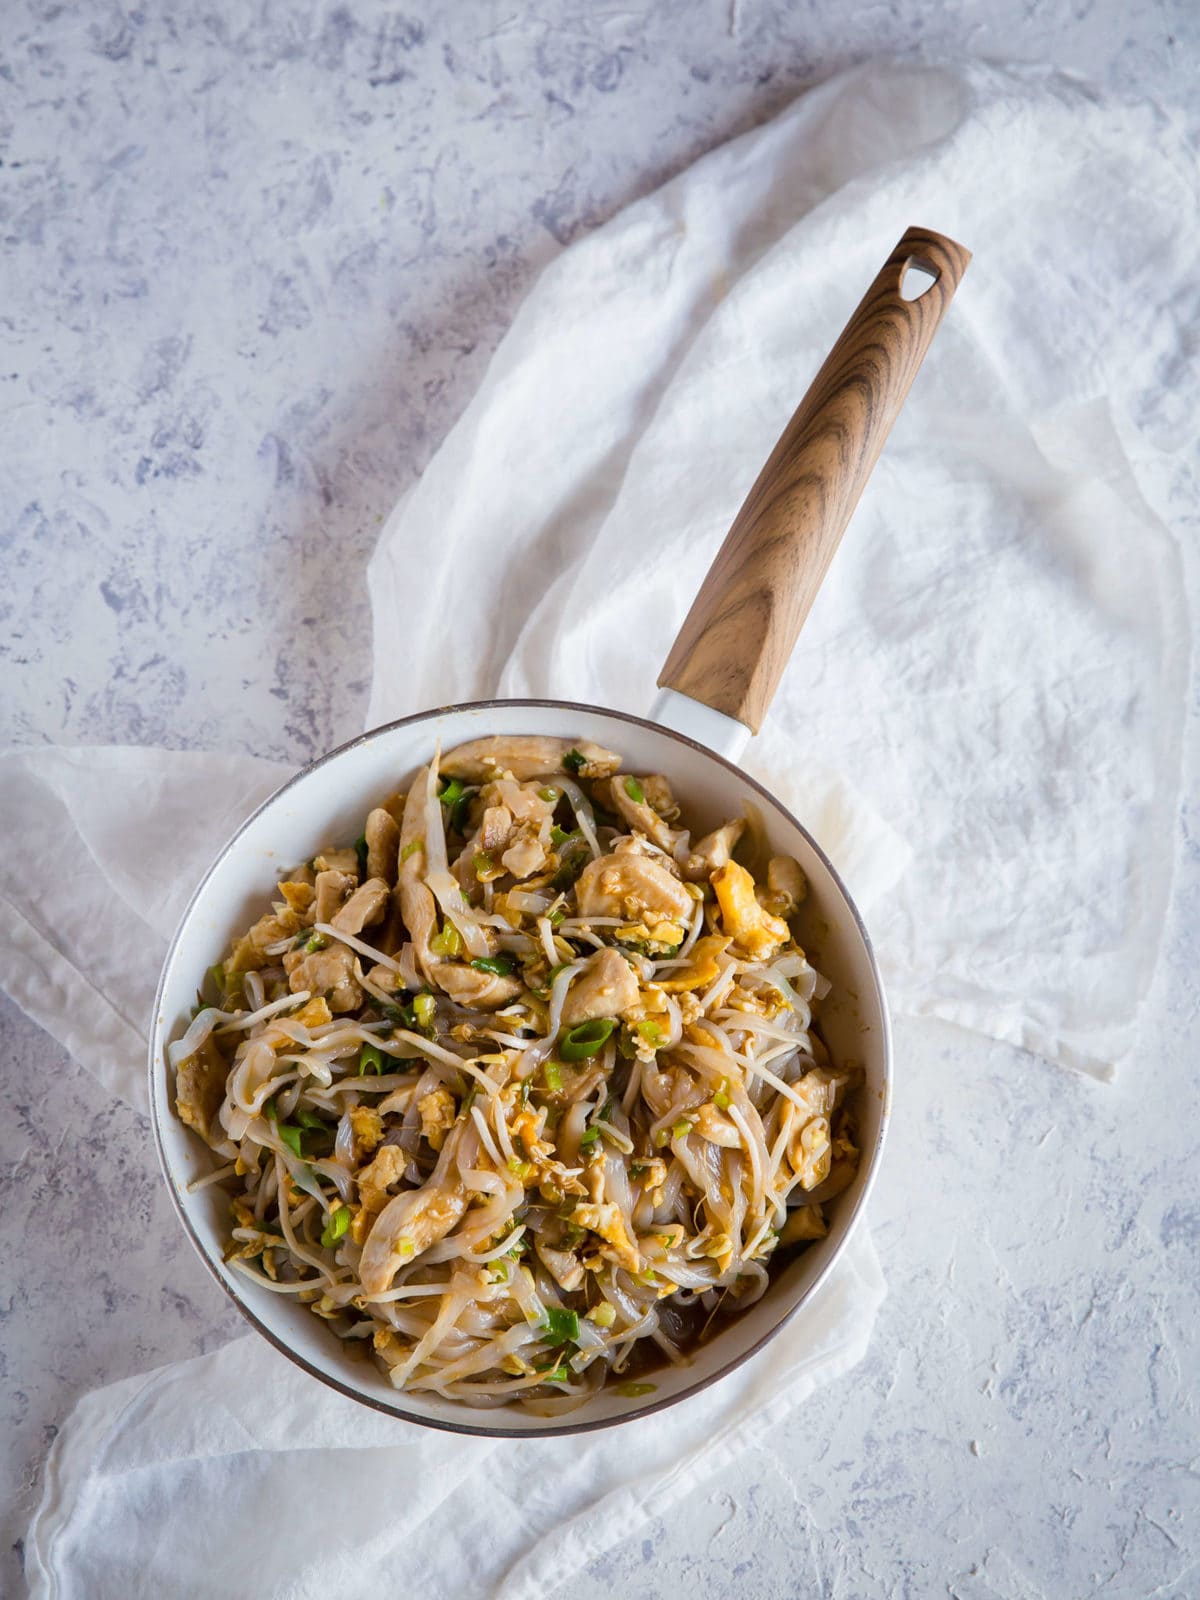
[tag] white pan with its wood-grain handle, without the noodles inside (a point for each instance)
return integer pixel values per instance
(716, 689)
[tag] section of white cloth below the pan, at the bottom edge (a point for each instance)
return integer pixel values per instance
(223, 1434)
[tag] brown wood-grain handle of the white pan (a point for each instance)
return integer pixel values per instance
(748, 615)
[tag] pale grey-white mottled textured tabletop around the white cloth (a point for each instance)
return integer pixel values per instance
(255, 263)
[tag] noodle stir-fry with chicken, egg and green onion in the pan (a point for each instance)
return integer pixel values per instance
(522, 1087)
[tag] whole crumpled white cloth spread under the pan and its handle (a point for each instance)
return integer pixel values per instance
(996, 665)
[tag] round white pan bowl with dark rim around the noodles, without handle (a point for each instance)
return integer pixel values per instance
(327, 802)
